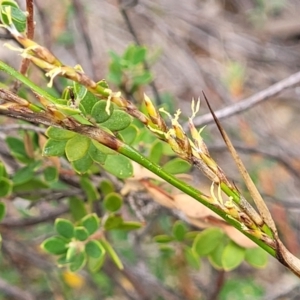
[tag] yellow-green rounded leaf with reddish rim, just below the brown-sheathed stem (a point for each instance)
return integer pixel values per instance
(77, 147)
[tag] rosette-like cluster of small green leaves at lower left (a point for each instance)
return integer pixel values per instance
(83, 242)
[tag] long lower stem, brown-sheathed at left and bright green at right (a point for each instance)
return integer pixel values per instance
(112, 142)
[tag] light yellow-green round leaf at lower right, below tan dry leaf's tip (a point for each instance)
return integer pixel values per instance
(232, 256)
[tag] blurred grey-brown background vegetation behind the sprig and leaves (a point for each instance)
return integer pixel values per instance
(231, 49)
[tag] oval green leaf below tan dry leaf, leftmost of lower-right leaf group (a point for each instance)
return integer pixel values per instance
(207, 241)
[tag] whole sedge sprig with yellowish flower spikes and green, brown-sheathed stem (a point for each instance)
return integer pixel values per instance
(241, 214)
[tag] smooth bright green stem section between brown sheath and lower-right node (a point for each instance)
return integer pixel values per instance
(189, 190)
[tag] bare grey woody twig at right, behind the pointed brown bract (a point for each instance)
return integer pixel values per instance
(250, 102)
